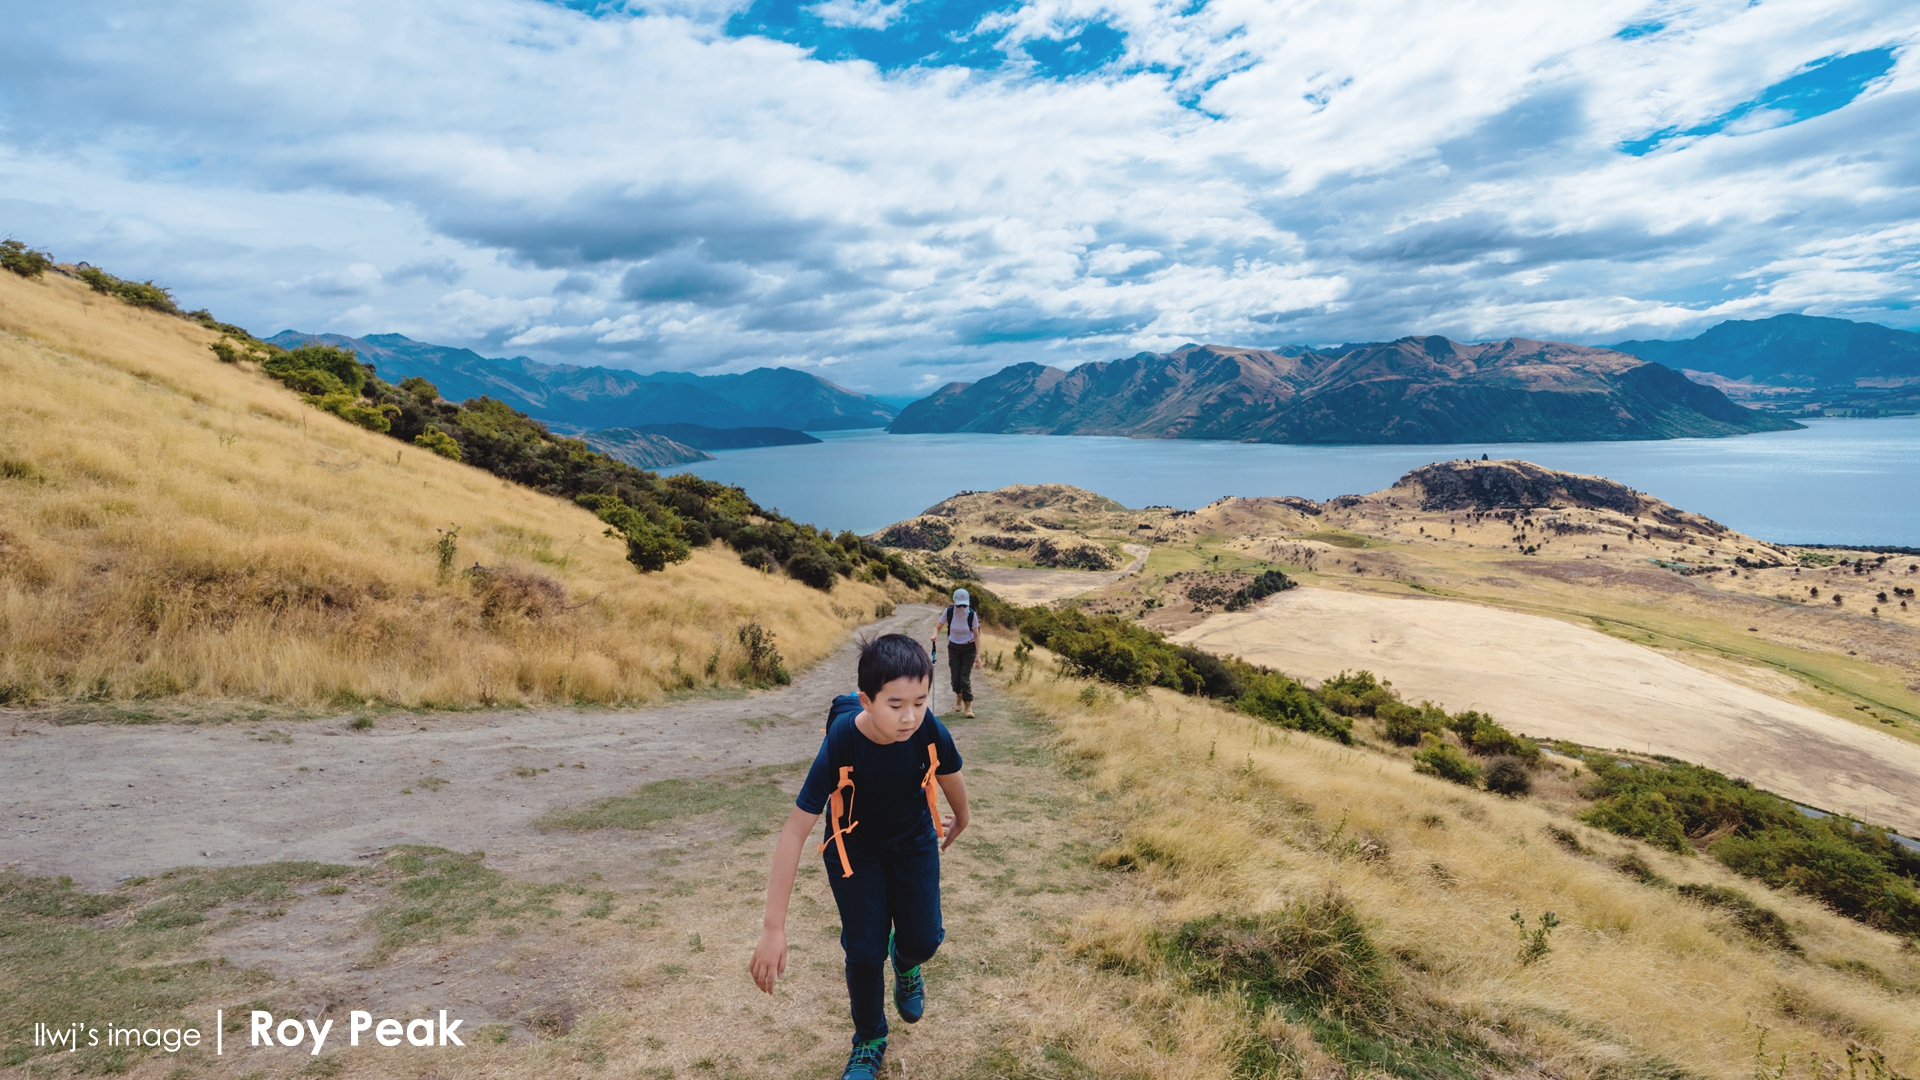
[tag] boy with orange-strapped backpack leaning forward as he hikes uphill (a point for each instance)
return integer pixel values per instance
(886, 864)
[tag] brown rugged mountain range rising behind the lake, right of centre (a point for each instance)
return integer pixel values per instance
(1410, 391)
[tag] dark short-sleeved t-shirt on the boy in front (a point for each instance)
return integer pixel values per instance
(888, 800)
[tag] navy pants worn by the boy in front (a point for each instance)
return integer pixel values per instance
(894, 889)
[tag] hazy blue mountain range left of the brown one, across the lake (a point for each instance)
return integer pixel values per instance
(588, 399)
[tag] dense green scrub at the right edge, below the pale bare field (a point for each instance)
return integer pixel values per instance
(1854, 868)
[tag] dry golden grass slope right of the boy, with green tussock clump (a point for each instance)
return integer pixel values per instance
(1308, 908)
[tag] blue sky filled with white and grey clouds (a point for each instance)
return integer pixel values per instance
(898, 193)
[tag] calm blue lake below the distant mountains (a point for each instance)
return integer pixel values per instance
(1840, 481)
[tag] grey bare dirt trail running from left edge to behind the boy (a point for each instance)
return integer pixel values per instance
(101, 802)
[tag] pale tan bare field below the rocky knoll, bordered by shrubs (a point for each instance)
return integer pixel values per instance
(1554, 679)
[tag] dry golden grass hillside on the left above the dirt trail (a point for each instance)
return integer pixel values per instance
(181, 529)
